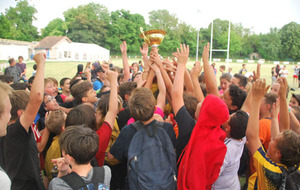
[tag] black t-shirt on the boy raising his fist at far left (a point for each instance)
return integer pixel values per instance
(20, 158)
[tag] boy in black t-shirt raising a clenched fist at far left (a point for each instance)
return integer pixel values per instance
(20, 157)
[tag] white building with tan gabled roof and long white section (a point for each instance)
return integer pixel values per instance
(61, 48)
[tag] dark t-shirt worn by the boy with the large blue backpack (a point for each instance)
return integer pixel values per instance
(120, 148)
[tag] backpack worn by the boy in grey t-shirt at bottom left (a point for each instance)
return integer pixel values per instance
(77, 183)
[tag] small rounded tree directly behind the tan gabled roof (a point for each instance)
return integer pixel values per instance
(56, 27)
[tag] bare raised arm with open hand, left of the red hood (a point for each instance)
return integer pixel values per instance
(177, 90)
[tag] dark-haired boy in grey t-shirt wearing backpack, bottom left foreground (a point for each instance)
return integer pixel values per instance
(79, 146)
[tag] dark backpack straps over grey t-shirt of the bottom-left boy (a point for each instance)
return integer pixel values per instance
(76, 182)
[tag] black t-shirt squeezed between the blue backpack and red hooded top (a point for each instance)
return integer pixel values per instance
(186, 125)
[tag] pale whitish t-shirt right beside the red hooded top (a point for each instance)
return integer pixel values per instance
(228, 177)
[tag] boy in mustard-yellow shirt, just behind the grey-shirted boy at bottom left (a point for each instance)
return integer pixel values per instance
(55, 123)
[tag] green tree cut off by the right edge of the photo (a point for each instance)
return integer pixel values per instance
(290, 41)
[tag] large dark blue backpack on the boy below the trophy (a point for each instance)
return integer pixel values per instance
(151, 159)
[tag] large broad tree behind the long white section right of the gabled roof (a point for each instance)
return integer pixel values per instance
(87, 23)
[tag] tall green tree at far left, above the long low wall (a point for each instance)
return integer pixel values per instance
(21, 18)
